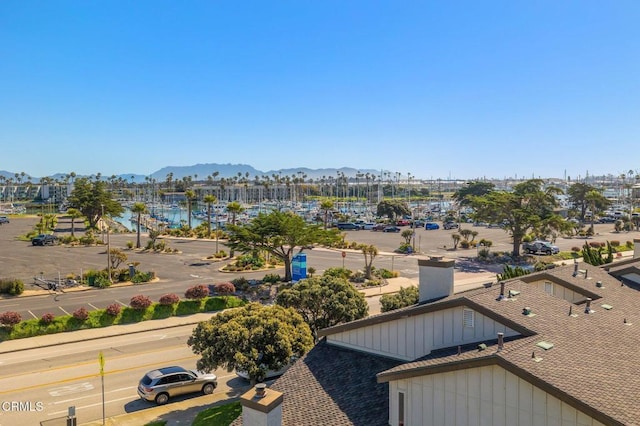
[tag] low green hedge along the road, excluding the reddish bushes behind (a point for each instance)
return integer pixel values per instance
(100, 318)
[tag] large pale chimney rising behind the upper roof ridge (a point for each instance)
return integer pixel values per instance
(436, 278)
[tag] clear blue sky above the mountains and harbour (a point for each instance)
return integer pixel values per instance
(458, 89)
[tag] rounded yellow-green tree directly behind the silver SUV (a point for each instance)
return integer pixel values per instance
(253, 338)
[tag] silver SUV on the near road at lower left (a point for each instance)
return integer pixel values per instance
(164, 383)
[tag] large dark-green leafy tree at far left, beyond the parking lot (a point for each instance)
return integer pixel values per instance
(89, 197)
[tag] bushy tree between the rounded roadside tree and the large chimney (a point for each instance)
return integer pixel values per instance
(324, 302)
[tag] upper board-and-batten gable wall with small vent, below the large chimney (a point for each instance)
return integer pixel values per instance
(415, 336)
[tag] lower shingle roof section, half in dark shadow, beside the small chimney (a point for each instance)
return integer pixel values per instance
(334, 386)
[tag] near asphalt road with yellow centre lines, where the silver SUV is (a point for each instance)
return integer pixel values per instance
(51, 379)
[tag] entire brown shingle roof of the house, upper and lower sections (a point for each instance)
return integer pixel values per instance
(592, 366)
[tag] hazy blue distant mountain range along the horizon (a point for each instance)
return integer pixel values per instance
(200, 172)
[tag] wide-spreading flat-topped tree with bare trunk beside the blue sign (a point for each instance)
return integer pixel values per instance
(278, 233)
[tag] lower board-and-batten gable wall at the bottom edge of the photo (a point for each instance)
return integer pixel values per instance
(485, 396)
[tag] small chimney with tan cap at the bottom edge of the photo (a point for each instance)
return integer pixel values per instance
(261, 406)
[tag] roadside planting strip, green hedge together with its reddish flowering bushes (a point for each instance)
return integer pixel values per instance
(141, 308)
